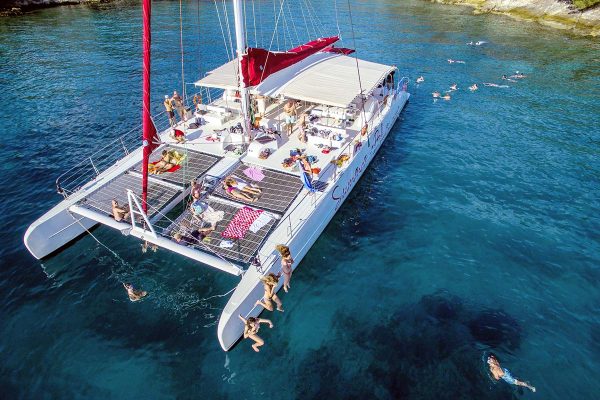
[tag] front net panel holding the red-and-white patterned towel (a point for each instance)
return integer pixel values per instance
(243, 249)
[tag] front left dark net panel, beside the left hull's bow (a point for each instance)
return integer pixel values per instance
(159, 193)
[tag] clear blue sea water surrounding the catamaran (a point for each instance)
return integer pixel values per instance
(475, 229)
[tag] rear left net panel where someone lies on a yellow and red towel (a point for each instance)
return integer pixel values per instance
(195, 164)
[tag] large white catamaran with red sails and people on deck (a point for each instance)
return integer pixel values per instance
(294, 130)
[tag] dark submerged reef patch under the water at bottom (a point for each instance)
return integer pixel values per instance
(431, 349)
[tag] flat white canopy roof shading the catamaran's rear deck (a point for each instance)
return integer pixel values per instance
(323, 78)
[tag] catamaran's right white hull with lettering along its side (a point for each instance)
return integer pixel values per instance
(250, 289)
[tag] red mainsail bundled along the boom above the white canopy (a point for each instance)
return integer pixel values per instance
(260, 63)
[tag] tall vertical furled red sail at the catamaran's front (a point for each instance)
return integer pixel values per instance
(147, 126)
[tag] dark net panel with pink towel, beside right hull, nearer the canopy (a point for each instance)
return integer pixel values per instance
(279, 189)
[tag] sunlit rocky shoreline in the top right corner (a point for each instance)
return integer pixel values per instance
(578, 16)
